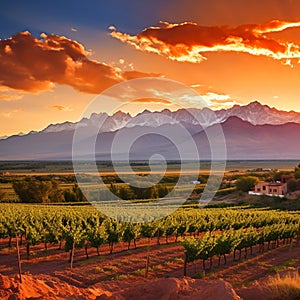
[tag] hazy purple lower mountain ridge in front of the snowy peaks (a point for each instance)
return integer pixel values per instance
(243, 141)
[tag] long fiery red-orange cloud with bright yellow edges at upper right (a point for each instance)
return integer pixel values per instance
(188, 42)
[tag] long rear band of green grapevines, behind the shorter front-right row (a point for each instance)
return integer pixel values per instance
(83, 227)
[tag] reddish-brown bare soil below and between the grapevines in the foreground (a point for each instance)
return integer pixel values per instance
(121, 275)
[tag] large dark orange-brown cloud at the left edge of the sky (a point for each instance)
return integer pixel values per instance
(32, 65)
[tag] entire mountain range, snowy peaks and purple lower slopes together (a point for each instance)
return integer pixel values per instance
(253, 131)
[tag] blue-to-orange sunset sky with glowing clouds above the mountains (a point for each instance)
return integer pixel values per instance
(57, 56)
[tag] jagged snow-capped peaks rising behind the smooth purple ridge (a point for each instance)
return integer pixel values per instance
(250, 112)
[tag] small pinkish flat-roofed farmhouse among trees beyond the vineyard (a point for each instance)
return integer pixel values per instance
(270, 188)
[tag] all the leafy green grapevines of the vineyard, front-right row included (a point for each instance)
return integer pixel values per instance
(204, 233)
